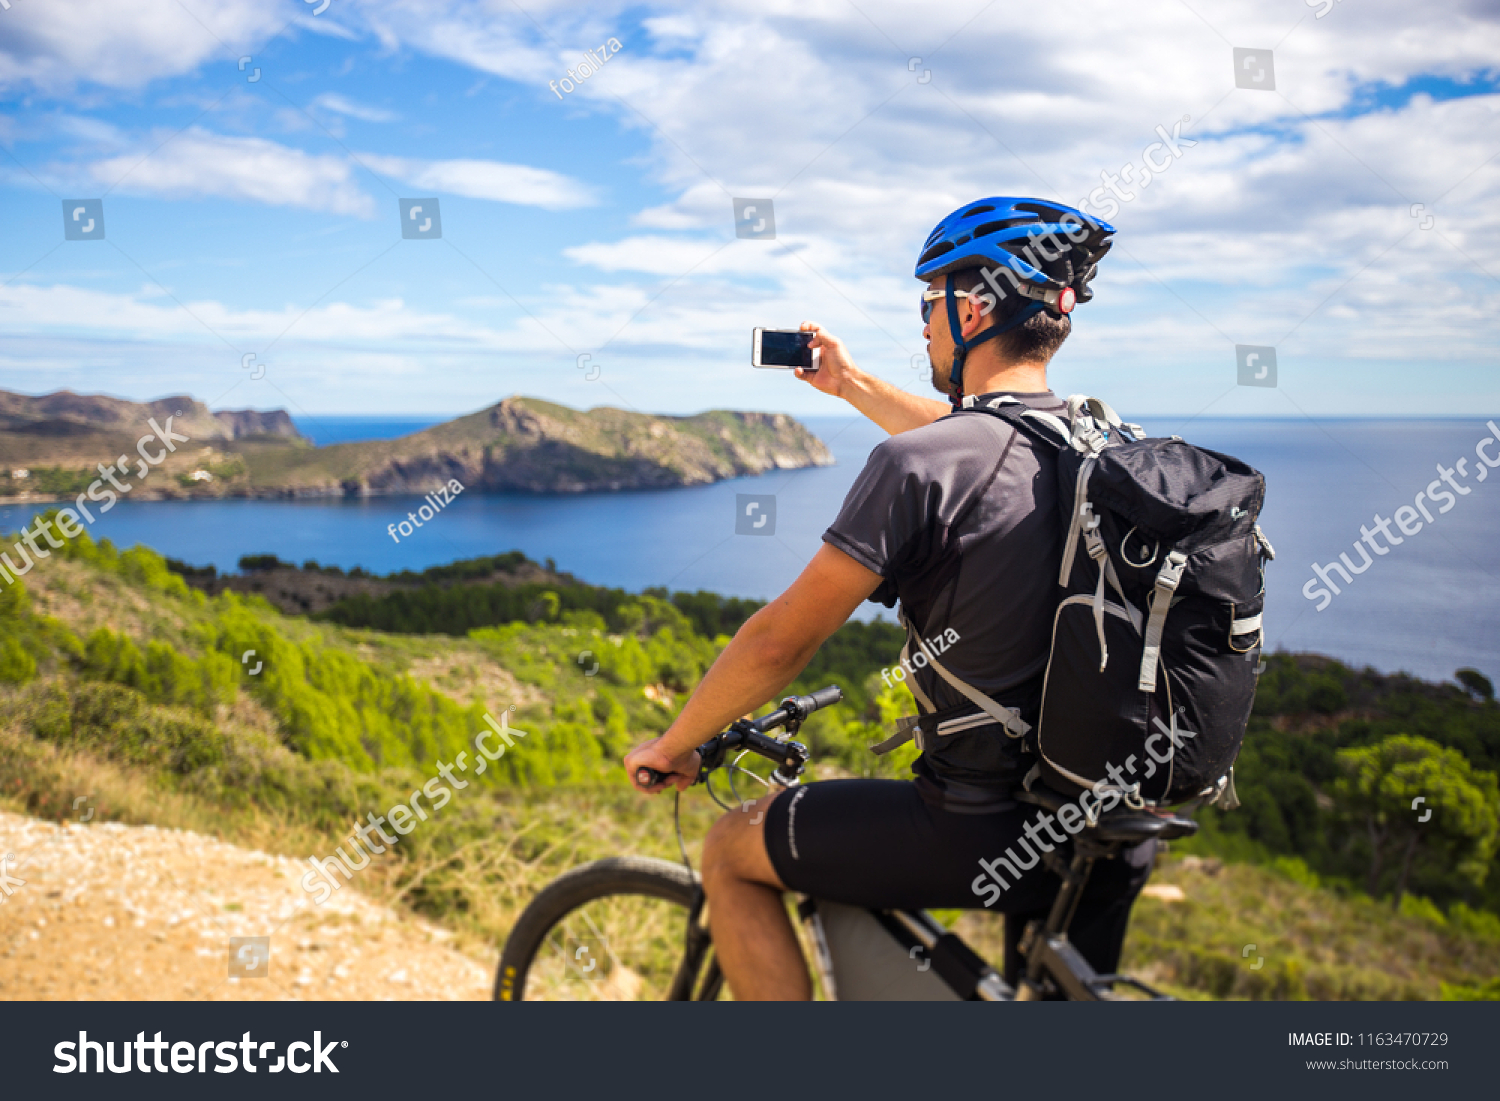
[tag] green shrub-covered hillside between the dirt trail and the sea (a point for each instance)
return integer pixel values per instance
(121, 682)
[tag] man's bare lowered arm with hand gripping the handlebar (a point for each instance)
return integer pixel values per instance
(766, 656)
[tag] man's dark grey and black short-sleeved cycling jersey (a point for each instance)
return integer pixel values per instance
(961, 520)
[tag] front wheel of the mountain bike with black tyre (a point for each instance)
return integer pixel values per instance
(611, 931)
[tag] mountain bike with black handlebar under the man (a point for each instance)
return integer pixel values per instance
(635, 928)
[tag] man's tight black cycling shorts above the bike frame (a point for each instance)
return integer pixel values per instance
(878, 844)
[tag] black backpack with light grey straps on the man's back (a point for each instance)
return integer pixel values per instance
(1159, 626)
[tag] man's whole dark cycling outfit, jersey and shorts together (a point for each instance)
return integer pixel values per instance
(961, 520)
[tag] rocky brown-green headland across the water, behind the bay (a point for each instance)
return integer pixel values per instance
(52, 446)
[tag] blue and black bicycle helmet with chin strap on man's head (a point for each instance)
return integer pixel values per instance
(1034, 256)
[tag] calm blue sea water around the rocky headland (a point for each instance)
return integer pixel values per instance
(1429, 607)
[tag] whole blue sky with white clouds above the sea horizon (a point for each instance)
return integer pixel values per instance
(1348, 218)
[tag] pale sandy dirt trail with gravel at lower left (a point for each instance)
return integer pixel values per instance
(137, 913)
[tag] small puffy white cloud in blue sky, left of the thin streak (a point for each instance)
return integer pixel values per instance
(199, 164)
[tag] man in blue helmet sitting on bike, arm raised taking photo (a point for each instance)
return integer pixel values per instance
(956, 517)
